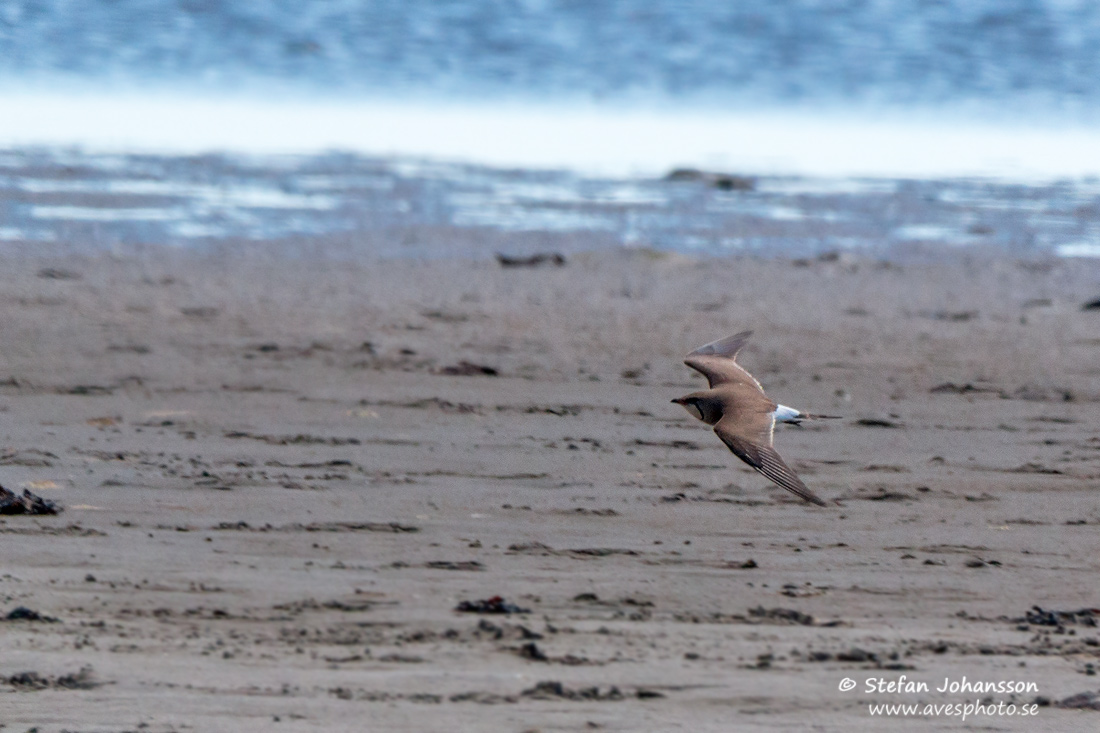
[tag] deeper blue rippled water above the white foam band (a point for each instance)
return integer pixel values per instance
(1039, 56)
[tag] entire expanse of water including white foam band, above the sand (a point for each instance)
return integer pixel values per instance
(998, 62)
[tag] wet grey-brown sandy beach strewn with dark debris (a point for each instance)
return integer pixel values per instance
(277, 496)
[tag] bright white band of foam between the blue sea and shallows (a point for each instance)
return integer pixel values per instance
(609, 140)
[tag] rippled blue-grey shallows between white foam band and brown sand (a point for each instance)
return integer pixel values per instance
(356, 206)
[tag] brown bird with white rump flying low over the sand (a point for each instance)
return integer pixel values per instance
(742, 414)
